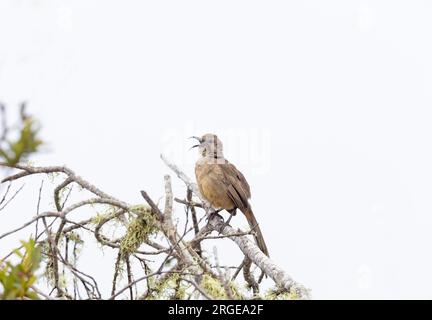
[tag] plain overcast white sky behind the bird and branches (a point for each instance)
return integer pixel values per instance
(325, 106)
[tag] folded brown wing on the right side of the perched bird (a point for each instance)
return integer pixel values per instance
(237, 187)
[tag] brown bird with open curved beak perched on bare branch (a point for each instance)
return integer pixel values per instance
(222, 185)
